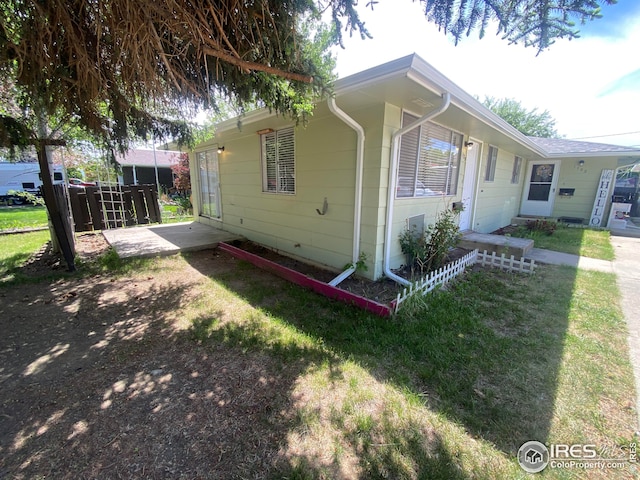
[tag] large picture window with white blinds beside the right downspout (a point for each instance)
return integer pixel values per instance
(429, 160)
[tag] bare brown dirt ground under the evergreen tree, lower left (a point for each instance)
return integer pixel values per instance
(101, 378)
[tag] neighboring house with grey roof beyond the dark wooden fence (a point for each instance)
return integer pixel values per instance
(139, 167)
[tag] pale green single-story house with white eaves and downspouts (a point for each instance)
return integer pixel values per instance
(398, 144)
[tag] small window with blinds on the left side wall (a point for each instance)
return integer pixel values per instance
(278, 161)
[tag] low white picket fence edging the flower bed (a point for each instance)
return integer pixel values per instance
(452, 270)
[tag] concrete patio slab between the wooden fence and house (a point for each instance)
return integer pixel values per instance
(155, 240)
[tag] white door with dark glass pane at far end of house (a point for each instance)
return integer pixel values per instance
(540, 188)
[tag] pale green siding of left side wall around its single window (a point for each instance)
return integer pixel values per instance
(325, 167)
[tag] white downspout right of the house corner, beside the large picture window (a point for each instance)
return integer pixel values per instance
(393, 174)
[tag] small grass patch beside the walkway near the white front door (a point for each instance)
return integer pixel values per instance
(578, 241)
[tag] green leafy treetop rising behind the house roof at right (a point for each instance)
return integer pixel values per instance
(530, 122)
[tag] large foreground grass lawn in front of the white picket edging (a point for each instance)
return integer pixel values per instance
(451, 387)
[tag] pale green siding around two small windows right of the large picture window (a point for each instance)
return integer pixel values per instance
(497, 202)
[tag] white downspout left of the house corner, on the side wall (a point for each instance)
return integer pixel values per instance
(357, 209)
